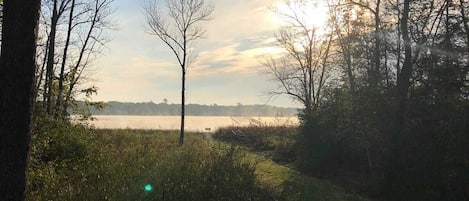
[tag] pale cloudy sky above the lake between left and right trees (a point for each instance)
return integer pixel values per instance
(138, 67)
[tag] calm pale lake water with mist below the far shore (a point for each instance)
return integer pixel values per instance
(192, 123)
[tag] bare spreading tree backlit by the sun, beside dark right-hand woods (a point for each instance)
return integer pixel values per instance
(302, 71)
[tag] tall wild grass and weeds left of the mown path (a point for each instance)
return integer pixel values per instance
(72, 162)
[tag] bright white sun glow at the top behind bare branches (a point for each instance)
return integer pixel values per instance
(312, 13)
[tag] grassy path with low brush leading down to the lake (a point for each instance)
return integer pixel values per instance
(270, 146)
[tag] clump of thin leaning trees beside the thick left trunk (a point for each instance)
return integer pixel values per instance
(78, 28)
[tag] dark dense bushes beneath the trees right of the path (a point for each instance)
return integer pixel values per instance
(353, 144)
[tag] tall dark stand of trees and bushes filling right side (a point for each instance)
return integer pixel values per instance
(401, 106)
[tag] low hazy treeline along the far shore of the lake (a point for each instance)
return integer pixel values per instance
(165, 109)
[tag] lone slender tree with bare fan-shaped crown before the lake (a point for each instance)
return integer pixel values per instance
(178, 29)
